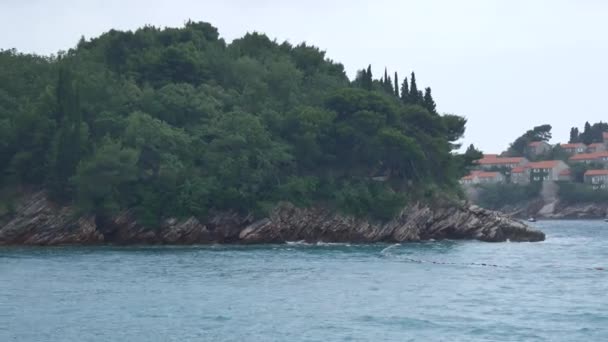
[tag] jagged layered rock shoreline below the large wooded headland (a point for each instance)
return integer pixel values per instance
(38, 221)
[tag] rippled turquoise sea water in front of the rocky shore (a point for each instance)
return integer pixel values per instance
(432, 291)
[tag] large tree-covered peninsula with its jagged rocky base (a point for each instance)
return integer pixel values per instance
(175, 136)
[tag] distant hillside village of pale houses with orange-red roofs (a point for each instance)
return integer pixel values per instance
(581, 163)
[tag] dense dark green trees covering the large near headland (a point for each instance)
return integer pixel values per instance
(176, 122)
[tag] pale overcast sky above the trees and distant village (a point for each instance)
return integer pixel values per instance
(506, 65)
